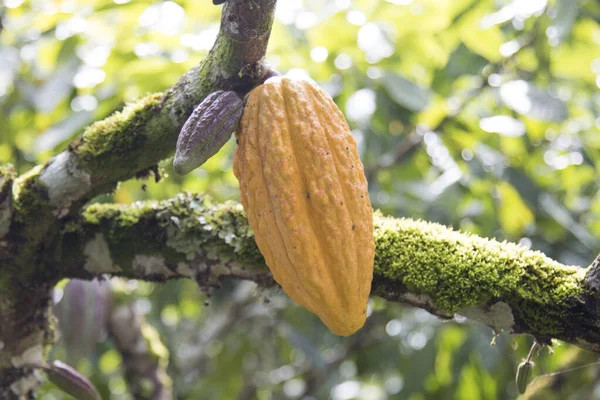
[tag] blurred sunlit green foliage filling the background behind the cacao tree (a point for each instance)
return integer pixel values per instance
(479, 114)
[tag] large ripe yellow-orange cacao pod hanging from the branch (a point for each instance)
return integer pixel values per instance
(304, 189)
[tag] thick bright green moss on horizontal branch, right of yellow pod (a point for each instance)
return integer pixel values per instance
(459, 271)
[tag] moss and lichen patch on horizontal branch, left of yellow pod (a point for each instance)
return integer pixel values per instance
(188, 224)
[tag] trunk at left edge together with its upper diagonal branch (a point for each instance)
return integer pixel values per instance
(120, 147)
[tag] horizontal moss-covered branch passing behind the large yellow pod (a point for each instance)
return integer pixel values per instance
(502, 285)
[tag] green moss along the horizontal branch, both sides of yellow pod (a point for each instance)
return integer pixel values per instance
(456, 270)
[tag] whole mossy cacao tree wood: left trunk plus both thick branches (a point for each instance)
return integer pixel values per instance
(45, 235)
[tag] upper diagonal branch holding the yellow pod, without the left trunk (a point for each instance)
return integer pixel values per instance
(145, 132)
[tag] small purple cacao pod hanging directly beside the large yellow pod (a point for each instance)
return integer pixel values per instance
(207, 130)
